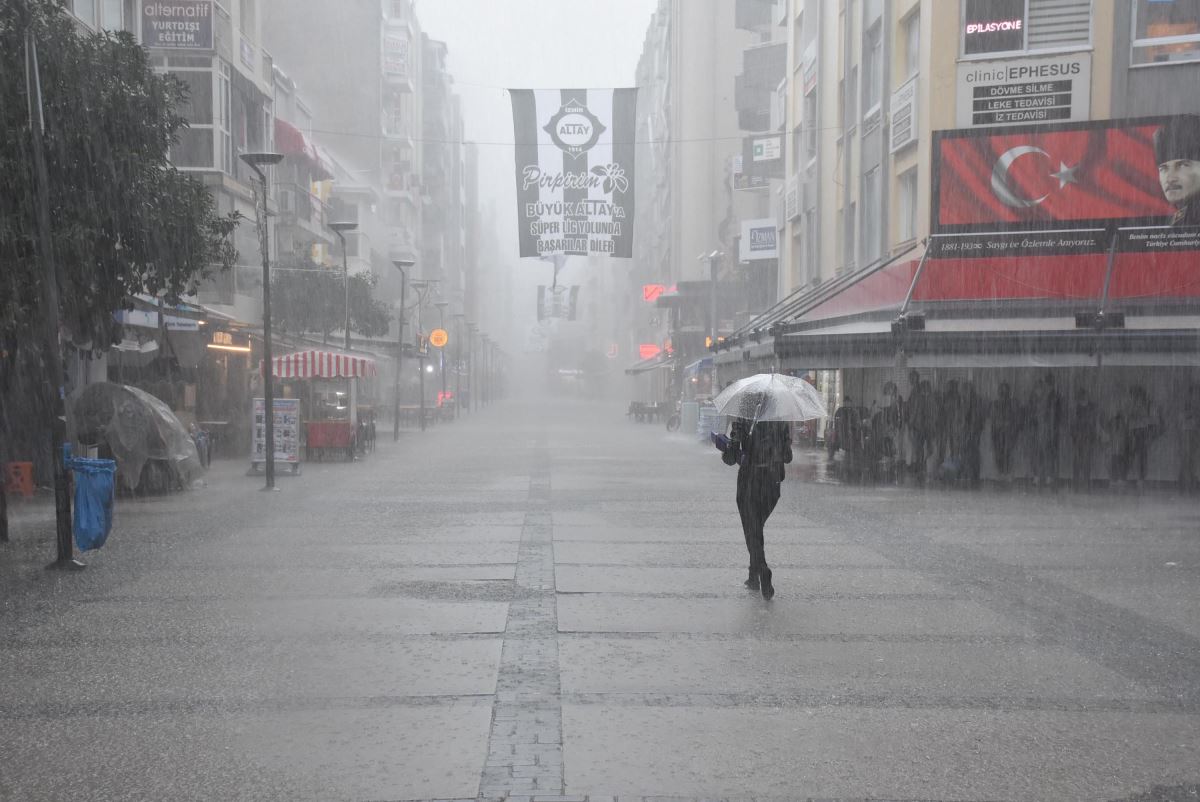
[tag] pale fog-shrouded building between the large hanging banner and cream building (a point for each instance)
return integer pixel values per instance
(698, 79)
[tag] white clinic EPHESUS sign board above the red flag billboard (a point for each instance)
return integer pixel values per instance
(1023, 92)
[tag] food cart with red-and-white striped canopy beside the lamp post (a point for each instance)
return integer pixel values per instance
(333, 390)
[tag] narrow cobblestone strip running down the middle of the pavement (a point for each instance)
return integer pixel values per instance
(525, 752)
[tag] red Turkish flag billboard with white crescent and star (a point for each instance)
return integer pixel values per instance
(1051, 177)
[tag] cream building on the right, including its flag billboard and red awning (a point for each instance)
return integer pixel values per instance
(893, 277)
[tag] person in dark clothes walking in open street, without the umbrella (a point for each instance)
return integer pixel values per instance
(760, 451)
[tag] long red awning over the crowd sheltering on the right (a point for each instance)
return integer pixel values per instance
(1035, 306)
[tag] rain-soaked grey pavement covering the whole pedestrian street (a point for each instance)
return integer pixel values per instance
(547, 602)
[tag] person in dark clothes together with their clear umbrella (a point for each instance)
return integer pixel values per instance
(760, 444)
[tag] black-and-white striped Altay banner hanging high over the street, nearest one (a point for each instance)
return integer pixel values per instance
(575, 171)
